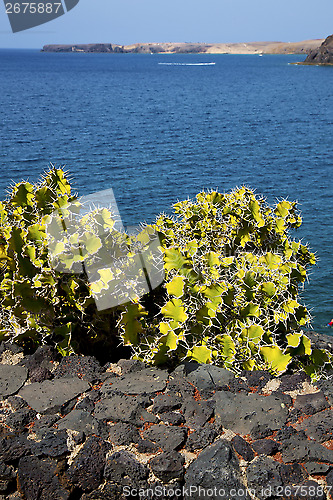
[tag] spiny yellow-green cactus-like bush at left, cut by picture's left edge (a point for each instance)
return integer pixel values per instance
(40, 305)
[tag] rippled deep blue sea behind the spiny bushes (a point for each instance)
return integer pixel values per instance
(158, 133)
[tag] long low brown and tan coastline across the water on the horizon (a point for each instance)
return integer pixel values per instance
(304, 47)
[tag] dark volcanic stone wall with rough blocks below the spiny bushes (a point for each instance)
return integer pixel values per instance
(71, 429)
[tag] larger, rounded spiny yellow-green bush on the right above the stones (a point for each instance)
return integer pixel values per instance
(230, 297)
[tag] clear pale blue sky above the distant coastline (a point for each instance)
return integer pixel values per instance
(131, 21)
